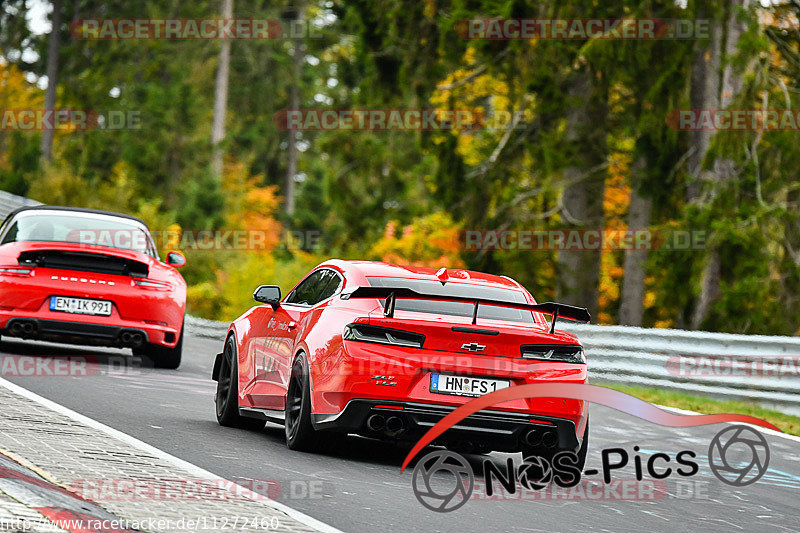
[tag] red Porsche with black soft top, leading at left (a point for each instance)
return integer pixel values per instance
(90, 277)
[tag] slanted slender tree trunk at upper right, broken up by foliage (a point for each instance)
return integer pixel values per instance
(724, 167)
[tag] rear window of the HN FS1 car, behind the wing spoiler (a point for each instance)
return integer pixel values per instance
(462, 290)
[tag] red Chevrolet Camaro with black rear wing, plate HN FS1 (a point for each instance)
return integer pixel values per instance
(385, 351)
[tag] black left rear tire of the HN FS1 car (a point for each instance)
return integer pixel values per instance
(300, 433)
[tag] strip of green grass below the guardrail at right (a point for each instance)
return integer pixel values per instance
(787, 423)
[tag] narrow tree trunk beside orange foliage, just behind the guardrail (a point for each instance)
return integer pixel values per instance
(639, 216)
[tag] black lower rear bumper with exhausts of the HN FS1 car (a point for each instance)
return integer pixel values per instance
(495, 430)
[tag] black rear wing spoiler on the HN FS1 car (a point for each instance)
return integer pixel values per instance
(390, 294)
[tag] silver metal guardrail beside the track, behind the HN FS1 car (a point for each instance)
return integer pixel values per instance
(757, 368)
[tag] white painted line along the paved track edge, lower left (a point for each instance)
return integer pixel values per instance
(143, 446)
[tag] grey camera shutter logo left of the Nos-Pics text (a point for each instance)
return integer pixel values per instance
(431, 488)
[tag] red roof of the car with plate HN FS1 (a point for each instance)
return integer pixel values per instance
(458, 275)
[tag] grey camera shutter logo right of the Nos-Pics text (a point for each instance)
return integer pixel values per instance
(738, 455)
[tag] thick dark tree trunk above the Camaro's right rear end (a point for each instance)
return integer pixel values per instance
(578, 271)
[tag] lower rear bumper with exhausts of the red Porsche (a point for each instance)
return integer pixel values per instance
(120, 334)
